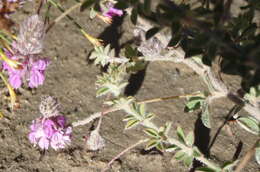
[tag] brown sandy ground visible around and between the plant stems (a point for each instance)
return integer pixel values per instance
(71, 79)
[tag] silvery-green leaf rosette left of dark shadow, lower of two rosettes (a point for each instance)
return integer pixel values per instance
(112, 81)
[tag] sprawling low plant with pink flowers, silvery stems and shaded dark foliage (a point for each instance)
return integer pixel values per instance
(173, 31)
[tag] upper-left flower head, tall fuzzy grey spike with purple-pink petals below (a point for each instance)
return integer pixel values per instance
(25, 50)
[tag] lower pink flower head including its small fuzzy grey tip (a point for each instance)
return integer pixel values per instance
(51, 129)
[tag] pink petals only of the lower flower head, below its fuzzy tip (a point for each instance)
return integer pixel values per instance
(50, 132)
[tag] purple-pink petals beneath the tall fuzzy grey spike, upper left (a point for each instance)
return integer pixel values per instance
(33, 68)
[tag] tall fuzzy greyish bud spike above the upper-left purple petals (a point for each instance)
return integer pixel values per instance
(31, 34)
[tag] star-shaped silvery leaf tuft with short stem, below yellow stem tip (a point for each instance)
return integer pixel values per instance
(105, 55)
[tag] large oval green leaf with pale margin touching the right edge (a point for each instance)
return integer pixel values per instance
(250, 124)
